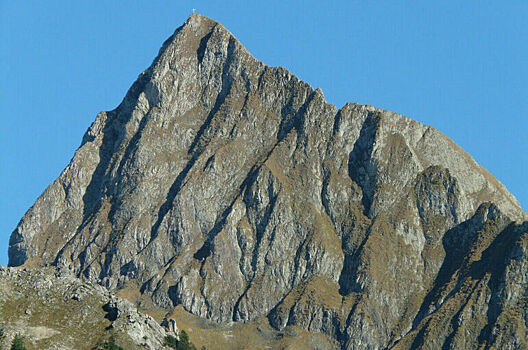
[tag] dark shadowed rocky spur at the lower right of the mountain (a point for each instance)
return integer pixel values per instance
(479, 297)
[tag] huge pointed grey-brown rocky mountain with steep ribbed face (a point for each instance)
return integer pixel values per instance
(234, 189)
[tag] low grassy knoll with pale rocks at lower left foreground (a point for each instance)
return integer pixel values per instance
(53, 310)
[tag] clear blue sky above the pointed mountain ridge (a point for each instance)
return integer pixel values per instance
(460, 66)
